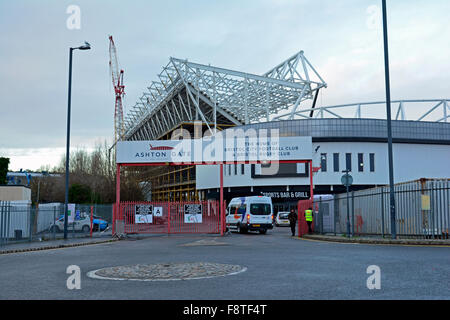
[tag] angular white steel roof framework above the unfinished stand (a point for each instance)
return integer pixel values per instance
(188, 91)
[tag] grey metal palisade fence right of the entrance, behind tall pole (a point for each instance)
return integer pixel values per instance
(422, 211)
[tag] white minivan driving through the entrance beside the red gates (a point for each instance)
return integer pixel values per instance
(253, 213)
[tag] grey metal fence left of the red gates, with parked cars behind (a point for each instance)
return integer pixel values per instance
(24, 222)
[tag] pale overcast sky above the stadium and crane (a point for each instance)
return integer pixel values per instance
(342, 39)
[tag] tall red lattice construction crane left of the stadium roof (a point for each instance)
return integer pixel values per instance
(119, 90)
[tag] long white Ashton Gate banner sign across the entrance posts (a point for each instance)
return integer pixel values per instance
(214, 150)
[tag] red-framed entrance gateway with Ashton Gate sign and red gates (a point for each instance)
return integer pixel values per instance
(195, 216)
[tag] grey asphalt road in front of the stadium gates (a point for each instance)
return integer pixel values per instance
(278, 267)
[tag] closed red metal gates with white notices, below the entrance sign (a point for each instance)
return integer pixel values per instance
(168, 217)
